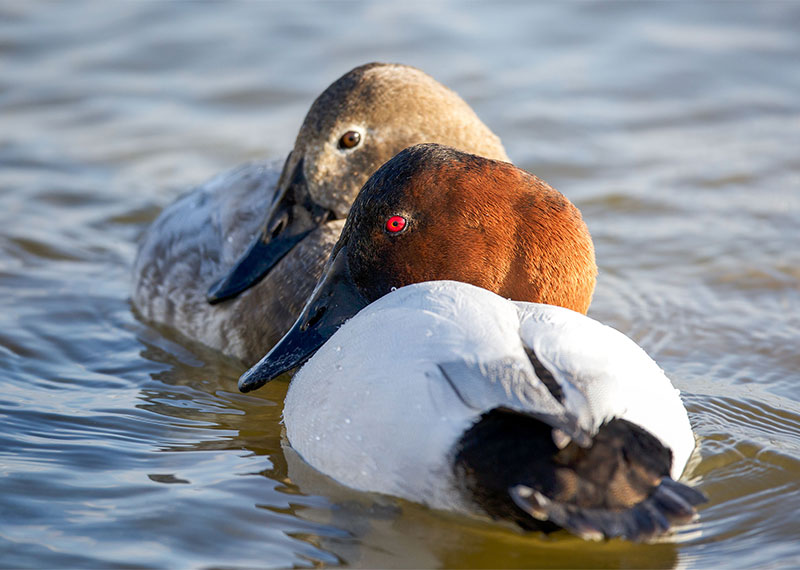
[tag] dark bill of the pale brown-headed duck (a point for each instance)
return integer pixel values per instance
(293, 215)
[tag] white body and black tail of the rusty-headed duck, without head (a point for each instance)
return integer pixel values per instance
(446, 394)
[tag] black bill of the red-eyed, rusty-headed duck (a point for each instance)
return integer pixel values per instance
(335, 299)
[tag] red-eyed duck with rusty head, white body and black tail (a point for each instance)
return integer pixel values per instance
(422, 379)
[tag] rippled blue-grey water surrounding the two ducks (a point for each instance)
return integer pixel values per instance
(674, 127)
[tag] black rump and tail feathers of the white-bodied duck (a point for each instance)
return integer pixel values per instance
(514, 467)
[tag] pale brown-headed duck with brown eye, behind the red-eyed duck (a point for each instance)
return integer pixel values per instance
(231, 263)
